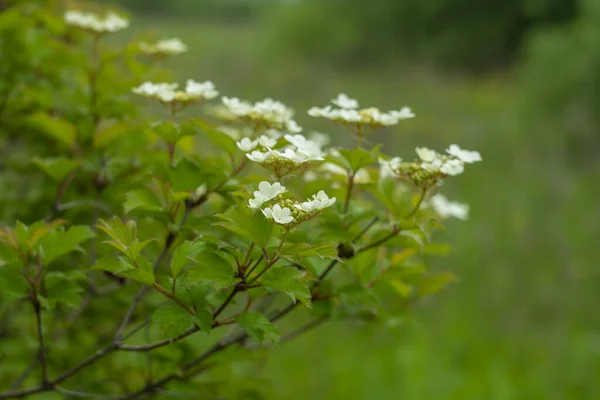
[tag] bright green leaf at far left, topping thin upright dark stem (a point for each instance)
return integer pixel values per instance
(59, 242)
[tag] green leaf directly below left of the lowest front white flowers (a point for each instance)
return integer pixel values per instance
(247, 224)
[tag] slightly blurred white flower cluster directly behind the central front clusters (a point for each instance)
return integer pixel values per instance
(268, 112)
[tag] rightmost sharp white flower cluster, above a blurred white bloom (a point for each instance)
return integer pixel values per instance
(451, 164)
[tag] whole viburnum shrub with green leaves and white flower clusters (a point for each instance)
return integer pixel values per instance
(147, 247)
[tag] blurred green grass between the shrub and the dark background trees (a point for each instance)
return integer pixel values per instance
(523, 322)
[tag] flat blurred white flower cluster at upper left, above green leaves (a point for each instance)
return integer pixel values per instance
(168, 93)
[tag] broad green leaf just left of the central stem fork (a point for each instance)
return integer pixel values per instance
(210, 267)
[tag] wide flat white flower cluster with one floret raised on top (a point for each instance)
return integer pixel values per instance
(349, 112)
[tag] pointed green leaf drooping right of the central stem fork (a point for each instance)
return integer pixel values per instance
(288, 280)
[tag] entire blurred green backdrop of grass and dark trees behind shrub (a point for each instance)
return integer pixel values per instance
(517, 80)
